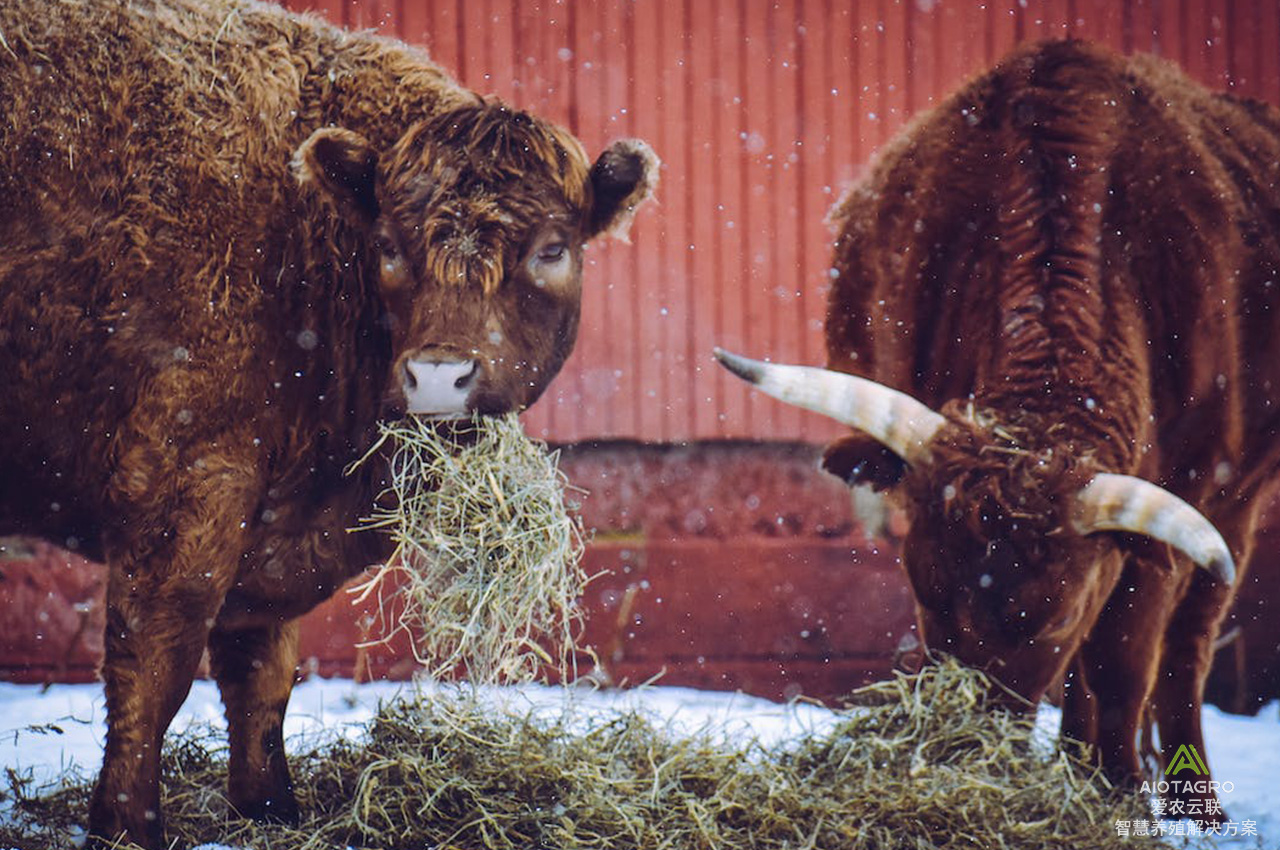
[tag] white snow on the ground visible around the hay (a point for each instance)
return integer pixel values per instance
(48, 730)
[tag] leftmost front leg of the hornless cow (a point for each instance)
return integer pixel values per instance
(156, 637)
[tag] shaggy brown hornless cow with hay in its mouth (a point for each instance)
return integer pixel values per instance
(234, 239)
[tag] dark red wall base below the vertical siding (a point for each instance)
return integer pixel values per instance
(730, 566)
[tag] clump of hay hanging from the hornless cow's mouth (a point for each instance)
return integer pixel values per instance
(490, 552)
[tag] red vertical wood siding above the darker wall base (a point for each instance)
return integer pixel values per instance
(762, 113)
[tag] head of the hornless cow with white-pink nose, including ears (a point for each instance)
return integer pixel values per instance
(474, 225)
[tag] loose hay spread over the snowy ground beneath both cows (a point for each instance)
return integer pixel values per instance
(918, 764)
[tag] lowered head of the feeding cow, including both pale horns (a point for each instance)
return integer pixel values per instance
(1008, 552)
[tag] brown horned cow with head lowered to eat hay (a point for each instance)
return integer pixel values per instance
(1064, 284)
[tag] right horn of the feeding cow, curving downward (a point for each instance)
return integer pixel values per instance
(1126, 504)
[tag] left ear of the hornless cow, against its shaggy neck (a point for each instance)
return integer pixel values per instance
(345, 166)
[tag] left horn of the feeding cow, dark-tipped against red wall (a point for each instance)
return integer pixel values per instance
(903, 424)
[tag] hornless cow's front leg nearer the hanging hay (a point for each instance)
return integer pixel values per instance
(255, 671)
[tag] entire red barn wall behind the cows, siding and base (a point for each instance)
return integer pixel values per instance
(728, 560)
